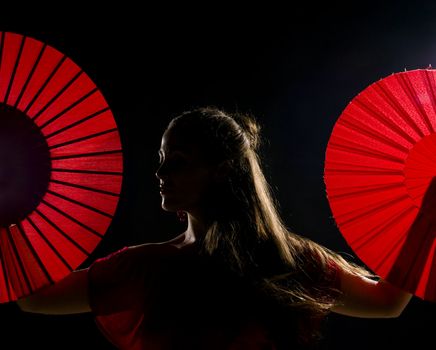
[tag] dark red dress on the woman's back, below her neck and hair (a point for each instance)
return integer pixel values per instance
(157, 297)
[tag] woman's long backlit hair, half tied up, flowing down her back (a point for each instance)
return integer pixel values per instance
(246, 231)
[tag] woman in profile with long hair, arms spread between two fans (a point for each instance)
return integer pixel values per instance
(237, 278)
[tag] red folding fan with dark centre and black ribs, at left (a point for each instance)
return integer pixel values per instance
(61, 166)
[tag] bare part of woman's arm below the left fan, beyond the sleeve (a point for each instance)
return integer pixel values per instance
(68, 296)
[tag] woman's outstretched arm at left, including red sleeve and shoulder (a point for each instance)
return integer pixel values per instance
(103, 287)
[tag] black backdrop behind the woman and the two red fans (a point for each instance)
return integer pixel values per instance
(294, 68)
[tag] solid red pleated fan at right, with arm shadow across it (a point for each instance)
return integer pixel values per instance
(380, 160)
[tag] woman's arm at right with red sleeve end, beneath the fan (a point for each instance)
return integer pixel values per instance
(364, 297)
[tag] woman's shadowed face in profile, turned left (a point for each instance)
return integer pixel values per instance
(183, 173)
